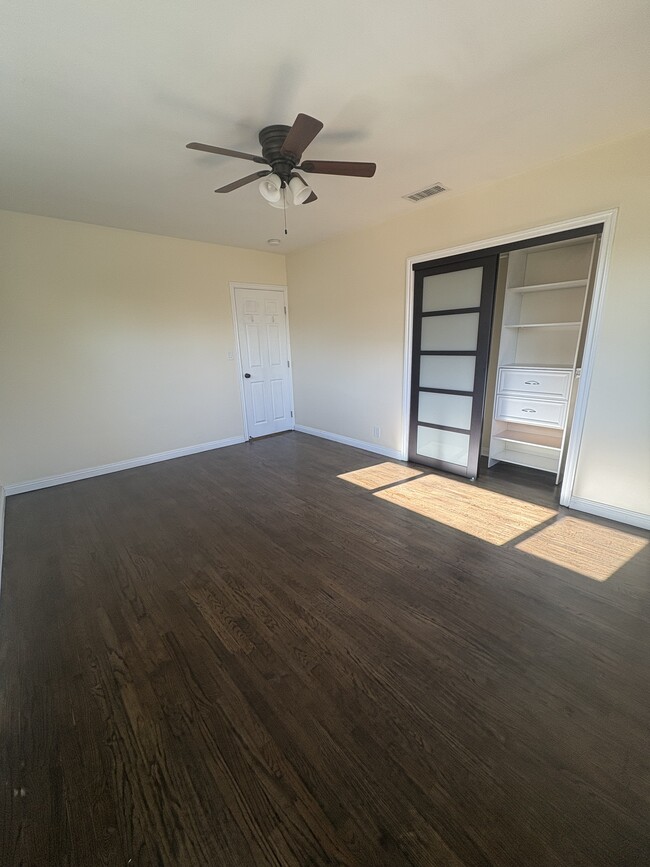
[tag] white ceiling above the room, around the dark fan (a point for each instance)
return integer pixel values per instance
(98, 100)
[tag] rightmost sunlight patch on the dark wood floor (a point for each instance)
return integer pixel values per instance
(590, 549)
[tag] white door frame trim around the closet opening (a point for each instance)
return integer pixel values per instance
(608, 220)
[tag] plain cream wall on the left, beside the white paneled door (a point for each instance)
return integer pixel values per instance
(113, 344)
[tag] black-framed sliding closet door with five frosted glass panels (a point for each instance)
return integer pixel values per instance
(452, 317)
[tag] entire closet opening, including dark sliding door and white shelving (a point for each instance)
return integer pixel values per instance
(527, 357)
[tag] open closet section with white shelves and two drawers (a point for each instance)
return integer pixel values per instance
(543, 300)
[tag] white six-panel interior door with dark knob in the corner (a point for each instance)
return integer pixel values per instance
(264, 356)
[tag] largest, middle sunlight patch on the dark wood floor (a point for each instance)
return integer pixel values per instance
(487, 515)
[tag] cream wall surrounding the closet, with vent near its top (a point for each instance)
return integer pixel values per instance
(347, 300)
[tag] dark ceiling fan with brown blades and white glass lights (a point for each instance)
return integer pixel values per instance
(282, 149)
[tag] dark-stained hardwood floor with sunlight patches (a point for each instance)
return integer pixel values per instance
(241, 658)
